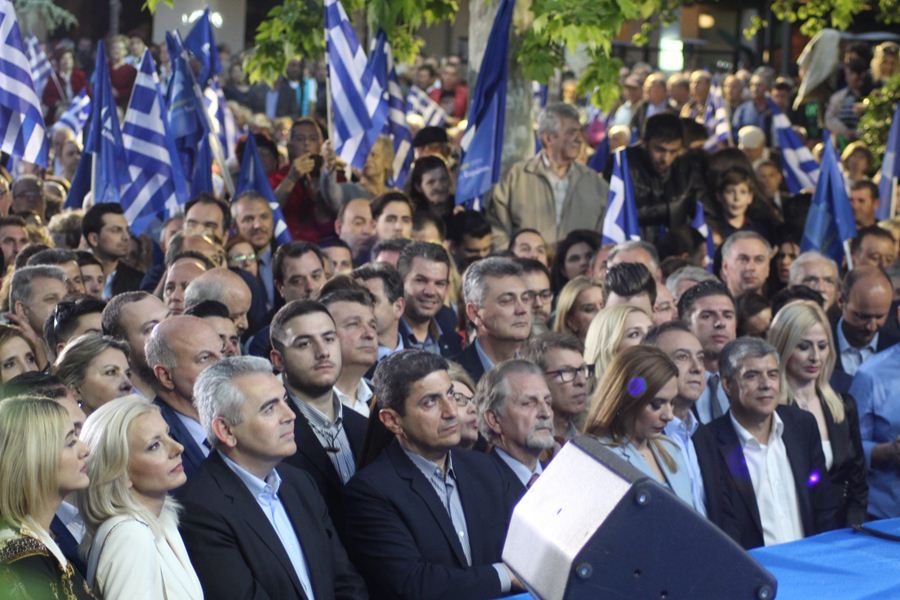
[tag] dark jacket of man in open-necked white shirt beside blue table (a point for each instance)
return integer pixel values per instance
(730, 500)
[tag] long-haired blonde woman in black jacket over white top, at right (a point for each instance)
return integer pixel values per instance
(802, 335)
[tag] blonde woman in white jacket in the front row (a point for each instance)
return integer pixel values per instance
(134, 548)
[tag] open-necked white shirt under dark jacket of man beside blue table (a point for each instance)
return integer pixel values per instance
(773, 483)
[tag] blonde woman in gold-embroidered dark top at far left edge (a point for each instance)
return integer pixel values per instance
(41, 462)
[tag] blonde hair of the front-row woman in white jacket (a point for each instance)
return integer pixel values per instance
(106, 432)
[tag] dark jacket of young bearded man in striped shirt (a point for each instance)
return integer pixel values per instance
(312, 458)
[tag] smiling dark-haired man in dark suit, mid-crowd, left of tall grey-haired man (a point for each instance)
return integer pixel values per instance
(425, 270)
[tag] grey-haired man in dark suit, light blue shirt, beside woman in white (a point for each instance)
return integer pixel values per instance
(253, 530)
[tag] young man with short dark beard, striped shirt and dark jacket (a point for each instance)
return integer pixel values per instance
(329, 435)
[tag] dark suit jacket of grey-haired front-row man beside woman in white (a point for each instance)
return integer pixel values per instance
(235, 550)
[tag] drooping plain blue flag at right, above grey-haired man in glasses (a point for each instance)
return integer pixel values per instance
(830, 224)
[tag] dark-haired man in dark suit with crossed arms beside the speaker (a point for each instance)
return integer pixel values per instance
(425, 520)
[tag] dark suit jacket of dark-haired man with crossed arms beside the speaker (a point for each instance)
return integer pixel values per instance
(402, 539)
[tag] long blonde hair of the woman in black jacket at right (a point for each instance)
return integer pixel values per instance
(788, 327)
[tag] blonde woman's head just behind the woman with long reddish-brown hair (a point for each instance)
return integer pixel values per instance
(612, 330)
